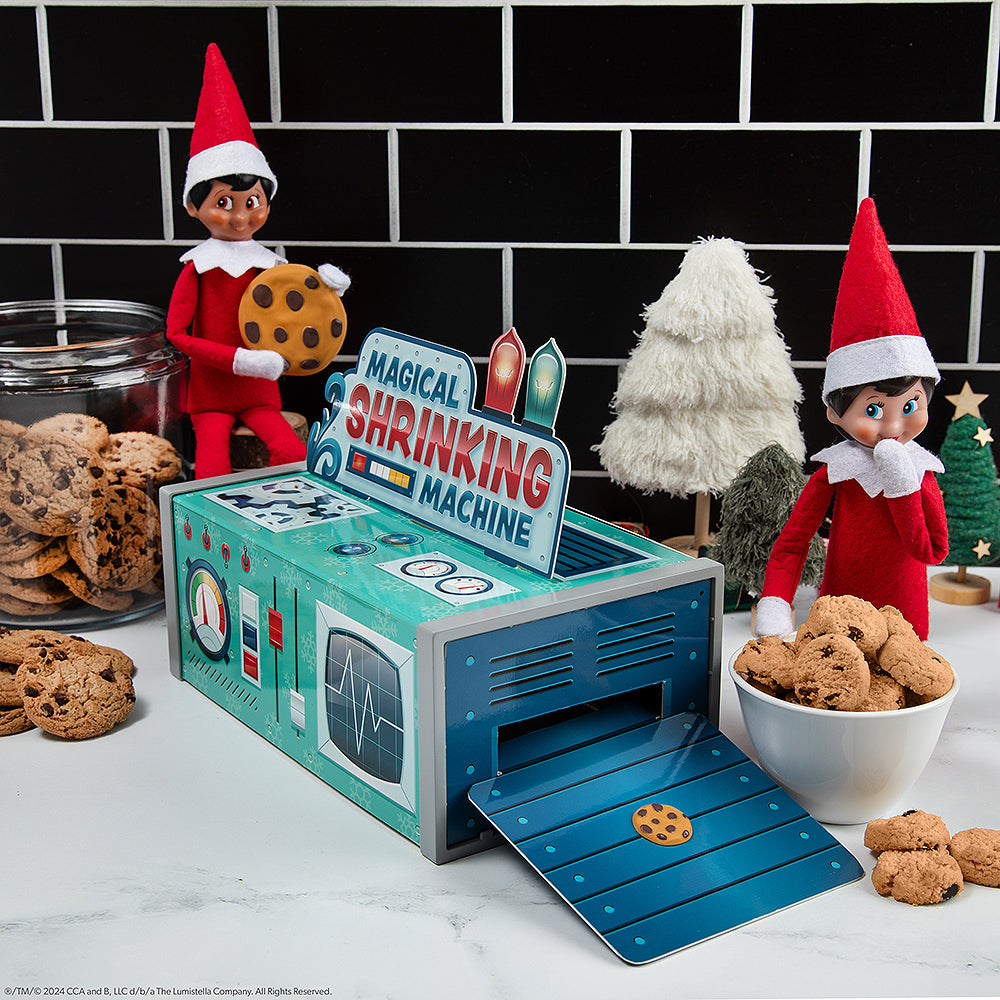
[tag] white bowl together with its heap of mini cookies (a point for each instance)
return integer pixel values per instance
(846, 713)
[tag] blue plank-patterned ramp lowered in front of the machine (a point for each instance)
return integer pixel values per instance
(752, 849)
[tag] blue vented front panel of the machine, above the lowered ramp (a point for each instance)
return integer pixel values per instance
(536, 669)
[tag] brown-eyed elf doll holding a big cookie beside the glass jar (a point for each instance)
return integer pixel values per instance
(228, 188)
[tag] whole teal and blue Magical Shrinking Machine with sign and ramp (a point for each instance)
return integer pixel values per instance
(417, 618)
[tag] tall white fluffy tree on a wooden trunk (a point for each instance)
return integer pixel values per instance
(708, 385)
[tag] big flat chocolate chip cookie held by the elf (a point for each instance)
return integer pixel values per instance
(289, 309)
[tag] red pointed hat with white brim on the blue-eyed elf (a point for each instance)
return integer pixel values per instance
(875, 334)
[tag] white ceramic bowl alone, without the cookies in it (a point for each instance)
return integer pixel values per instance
(843, 767)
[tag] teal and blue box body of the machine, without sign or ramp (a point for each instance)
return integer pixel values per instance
(334, 626)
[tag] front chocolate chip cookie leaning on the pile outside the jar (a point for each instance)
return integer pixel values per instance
(76, 690)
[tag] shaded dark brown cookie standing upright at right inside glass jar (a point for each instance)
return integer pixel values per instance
(119, 549)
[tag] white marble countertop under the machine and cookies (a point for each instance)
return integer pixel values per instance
(182, 854)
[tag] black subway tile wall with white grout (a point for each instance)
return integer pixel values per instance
(479, 163)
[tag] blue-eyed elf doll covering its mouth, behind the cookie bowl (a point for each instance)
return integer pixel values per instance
(888, 521)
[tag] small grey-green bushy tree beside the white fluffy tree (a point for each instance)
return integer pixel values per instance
(754, 509)
